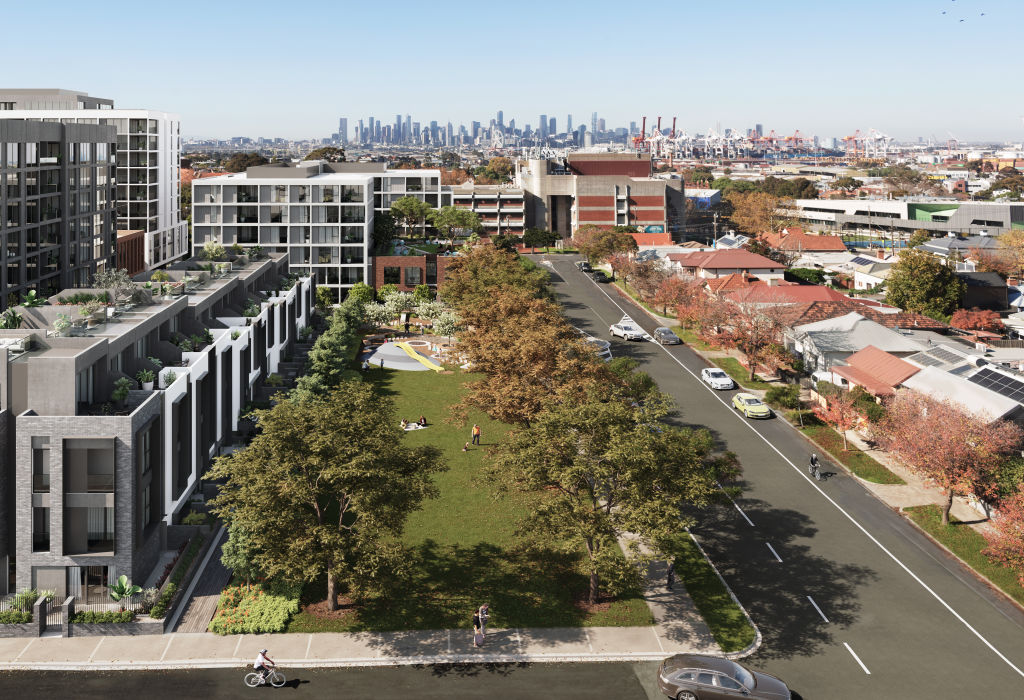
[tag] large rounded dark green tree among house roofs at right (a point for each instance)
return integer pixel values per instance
(922, 283)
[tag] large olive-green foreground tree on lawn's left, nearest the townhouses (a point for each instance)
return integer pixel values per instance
(326, 487)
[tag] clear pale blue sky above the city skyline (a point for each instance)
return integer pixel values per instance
(291, 69)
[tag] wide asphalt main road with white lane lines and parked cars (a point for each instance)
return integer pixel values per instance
(851, 599)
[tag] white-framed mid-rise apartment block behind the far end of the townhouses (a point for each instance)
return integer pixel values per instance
(320, 215)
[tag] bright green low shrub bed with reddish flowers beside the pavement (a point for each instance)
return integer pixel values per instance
(254, 609)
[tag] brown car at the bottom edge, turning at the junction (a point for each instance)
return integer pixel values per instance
(693, 677)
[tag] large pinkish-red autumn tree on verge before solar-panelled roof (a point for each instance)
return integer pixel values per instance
(942, 442)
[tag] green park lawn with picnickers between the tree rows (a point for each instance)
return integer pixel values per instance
(465, 544)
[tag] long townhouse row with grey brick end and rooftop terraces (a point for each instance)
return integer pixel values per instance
(89, 487)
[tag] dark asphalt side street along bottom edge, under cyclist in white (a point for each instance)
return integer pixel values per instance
(509, 682)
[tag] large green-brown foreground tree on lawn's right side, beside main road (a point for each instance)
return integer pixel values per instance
(606, 472)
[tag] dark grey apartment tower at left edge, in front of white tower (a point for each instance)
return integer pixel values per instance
(57, 199)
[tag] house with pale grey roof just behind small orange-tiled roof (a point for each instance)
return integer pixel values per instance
(829, 342)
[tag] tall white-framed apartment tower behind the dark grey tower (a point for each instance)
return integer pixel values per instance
(149, 151)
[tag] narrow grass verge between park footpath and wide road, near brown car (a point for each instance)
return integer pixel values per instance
(728, 623)
